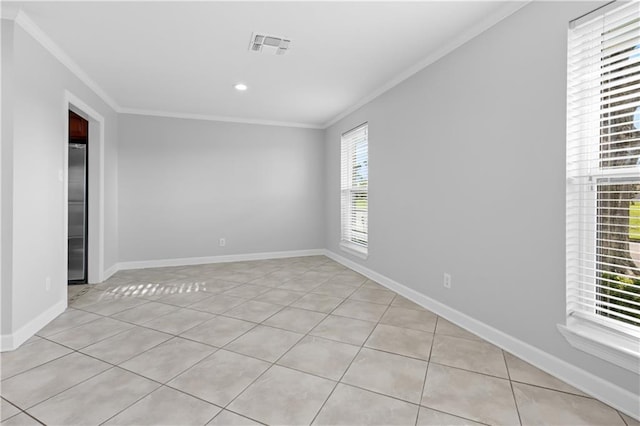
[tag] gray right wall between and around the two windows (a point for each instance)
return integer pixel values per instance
(467, 176)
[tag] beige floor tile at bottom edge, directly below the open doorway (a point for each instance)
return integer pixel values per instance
(95, 400)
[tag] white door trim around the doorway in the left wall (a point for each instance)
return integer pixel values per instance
(95, 267)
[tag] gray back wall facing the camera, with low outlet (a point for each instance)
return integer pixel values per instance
(184, 184)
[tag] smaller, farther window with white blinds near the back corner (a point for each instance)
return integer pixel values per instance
(354, 190)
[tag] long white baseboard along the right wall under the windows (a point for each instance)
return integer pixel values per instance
(607, 392)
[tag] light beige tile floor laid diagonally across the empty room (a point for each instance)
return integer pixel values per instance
(289, 342)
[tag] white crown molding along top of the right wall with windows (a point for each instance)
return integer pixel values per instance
(509, 8)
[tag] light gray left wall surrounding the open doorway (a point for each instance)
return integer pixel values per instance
(37, 203)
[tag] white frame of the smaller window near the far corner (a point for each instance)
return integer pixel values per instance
(348, 190)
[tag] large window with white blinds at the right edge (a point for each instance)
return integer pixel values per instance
(603, 184)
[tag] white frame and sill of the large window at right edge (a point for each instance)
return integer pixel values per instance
(606, 338)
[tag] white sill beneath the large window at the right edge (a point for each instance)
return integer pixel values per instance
(607, 344)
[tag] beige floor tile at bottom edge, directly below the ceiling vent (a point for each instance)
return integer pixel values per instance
(283, 396)
